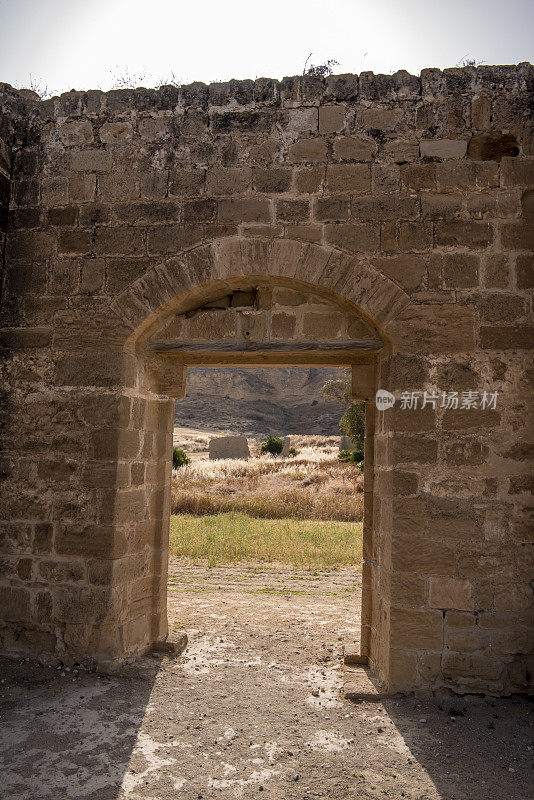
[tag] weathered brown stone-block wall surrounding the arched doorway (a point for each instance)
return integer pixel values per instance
(413, 198)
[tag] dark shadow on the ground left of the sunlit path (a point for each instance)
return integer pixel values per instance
(67, 733)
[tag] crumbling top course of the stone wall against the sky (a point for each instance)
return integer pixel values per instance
(366, 87)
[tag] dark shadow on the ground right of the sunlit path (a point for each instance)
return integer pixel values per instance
(471, 748)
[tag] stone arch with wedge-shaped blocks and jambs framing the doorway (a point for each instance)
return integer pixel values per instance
(180, 284)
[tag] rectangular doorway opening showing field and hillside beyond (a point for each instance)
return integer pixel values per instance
(266, 527)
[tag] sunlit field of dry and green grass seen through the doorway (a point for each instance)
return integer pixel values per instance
(305, 510)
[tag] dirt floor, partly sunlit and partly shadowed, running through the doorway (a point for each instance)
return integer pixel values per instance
(253, 709)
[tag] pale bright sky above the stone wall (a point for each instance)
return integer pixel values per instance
(86, 44)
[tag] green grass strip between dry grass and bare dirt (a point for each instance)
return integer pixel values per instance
(233, 537)
